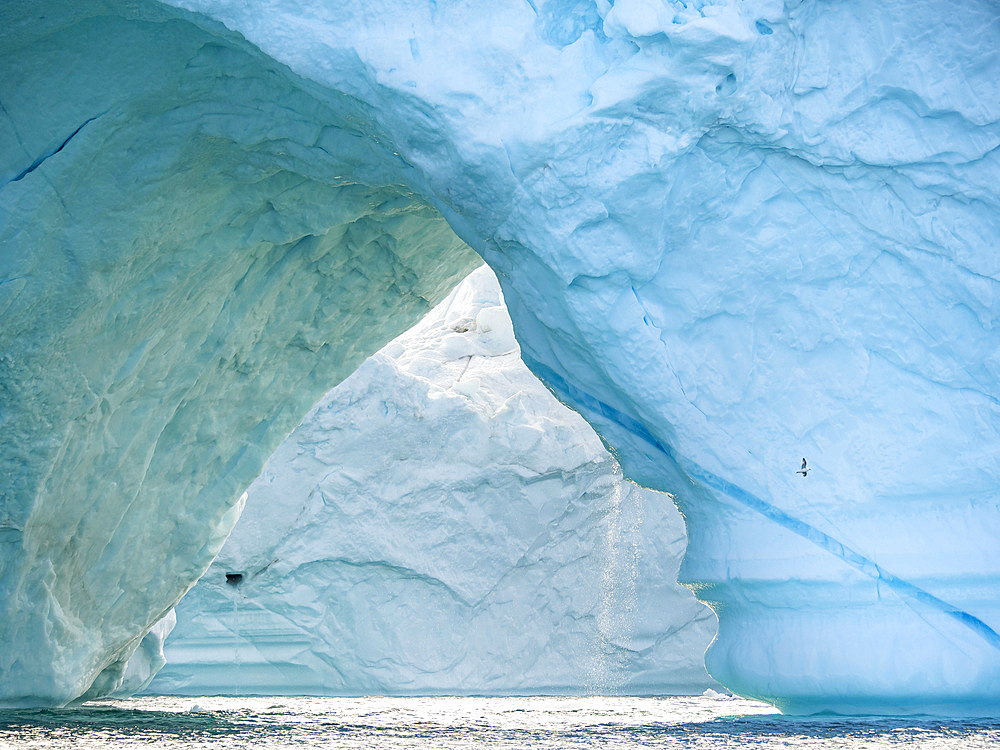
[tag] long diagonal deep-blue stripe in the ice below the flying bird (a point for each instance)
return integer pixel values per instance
(797, 526)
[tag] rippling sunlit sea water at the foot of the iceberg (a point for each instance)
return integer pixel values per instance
(373, 723)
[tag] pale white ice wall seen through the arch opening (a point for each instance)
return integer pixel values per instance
(439, 523)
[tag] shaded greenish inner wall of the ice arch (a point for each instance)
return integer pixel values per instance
(196, 243)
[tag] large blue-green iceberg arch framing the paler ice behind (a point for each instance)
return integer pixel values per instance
(731, 234)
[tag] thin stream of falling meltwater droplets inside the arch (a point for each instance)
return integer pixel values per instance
(617, 600)
